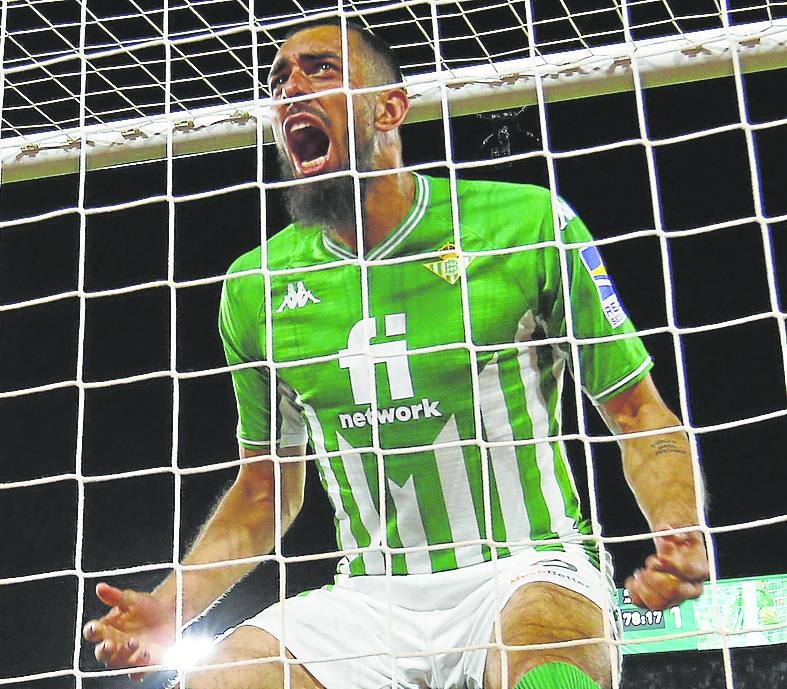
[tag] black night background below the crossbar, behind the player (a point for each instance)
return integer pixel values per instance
(732, 372)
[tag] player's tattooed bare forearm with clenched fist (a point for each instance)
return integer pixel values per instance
(659, 470)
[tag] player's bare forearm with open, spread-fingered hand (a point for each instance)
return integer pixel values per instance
(140, 627)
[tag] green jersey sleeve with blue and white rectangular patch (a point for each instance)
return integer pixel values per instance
(607, 367)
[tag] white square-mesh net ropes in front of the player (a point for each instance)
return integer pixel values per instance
(735, 51)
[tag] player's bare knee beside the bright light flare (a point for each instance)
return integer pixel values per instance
(250, 643)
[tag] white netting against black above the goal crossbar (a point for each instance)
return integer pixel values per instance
(211, 45)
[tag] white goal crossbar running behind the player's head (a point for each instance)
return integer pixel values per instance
(567, 75)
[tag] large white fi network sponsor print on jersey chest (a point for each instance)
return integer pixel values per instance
(393, 356)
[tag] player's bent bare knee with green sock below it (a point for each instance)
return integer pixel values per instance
(539, 613)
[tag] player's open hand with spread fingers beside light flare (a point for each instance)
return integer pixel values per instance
(136, 632)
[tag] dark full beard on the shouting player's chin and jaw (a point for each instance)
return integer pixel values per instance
(327, 203)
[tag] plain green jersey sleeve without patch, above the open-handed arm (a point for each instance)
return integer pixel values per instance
(241, 332)
